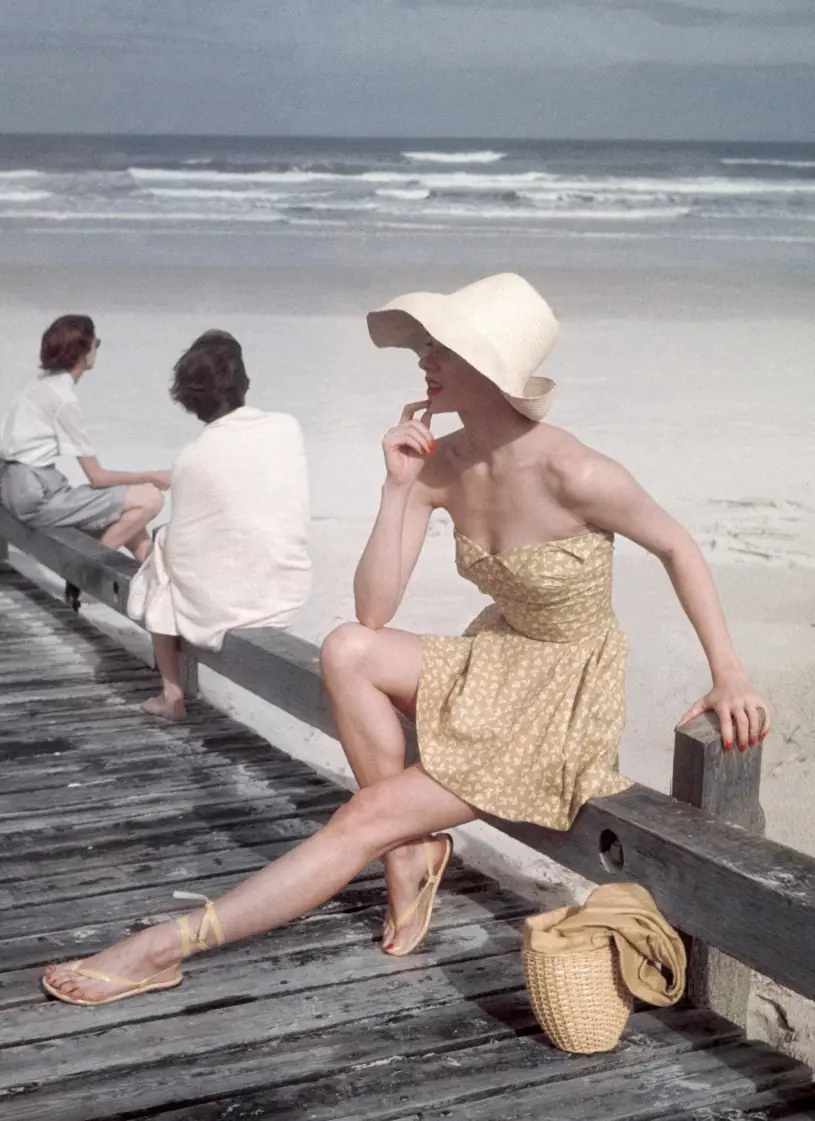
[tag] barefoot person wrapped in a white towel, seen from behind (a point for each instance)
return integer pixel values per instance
(235, 551)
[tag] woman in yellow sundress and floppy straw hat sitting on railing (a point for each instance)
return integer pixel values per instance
(522, 716)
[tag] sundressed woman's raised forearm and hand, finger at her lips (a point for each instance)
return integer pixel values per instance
(405, 509)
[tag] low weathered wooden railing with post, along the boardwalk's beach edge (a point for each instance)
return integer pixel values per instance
(745, 903)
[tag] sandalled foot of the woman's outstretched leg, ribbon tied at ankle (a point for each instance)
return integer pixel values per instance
(155, 955)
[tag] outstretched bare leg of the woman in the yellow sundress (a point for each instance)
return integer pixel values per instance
(376, 820)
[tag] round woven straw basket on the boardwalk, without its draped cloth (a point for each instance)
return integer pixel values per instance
(580, 999)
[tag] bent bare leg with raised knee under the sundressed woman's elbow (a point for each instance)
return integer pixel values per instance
(367, 674)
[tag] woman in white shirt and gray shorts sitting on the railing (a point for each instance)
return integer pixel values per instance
(45, 422)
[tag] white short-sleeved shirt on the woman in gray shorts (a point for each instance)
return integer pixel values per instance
(44, 422)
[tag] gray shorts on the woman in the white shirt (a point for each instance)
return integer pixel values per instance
(44, 497)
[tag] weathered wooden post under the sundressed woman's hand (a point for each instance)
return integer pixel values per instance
(727, 785)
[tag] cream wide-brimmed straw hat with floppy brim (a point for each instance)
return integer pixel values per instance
(501, 326)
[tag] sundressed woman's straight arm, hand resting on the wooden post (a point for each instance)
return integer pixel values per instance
(605, 495)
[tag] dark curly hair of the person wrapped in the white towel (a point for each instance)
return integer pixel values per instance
(210, 378)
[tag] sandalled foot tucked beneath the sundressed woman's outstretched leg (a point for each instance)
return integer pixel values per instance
(406, 873)
